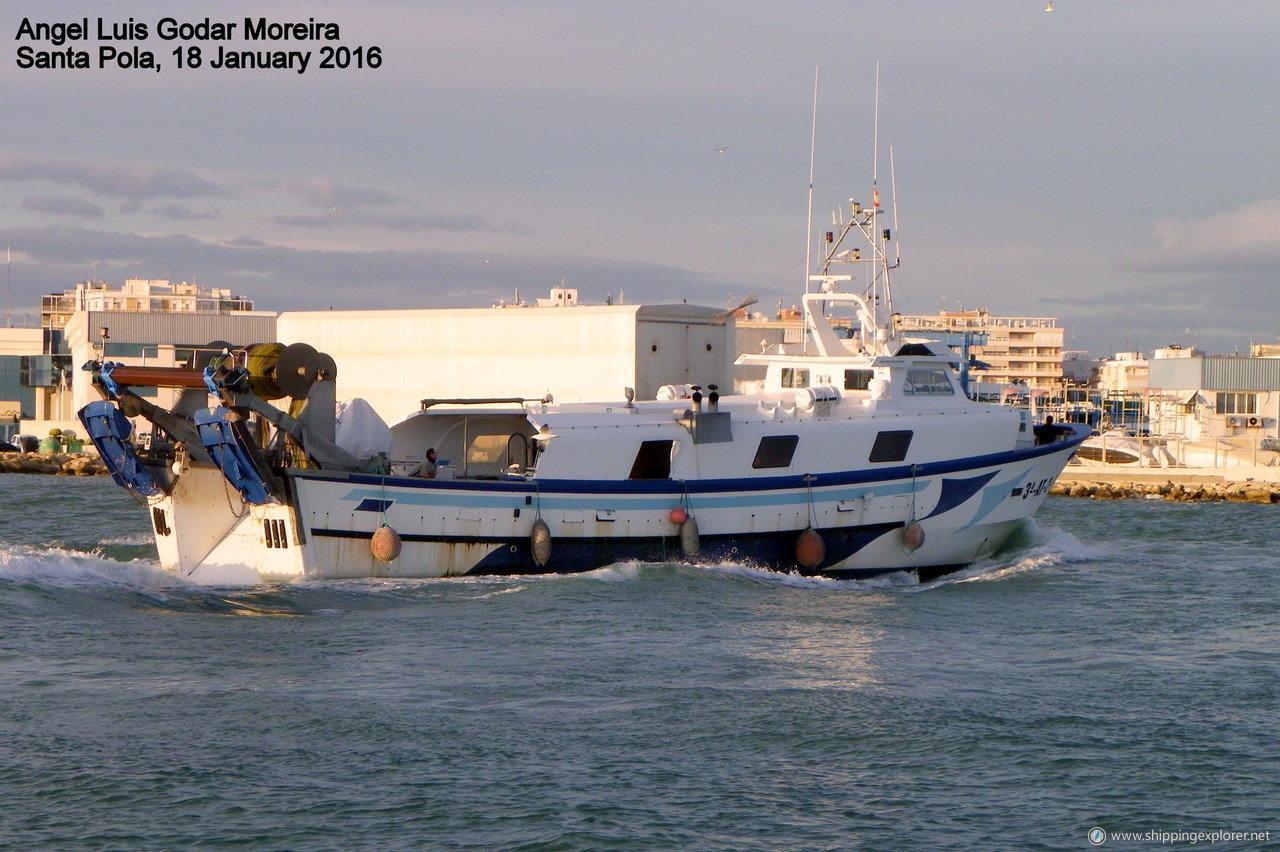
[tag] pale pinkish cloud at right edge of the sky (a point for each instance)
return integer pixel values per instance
(1238, 241)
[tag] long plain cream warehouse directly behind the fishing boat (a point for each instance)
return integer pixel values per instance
(559, 347)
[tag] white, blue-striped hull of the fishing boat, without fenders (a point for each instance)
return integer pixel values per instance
(966, 510)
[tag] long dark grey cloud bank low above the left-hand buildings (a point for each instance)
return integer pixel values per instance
(286, 278)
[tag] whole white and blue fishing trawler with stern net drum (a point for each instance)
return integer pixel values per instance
(861, 455)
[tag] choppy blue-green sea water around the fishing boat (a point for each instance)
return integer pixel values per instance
(1116, 668)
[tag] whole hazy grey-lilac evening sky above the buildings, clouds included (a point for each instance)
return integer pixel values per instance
(1109, 164)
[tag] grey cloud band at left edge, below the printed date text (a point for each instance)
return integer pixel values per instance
(111, 181)
